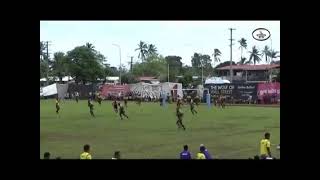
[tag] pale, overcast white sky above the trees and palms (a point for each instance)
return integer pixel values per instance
(180, 38)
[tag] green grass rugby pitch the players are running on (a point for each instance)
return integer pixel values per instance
(151, 131)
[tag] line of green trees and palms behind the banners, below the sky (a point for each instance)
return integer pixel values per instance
(86, 64)
